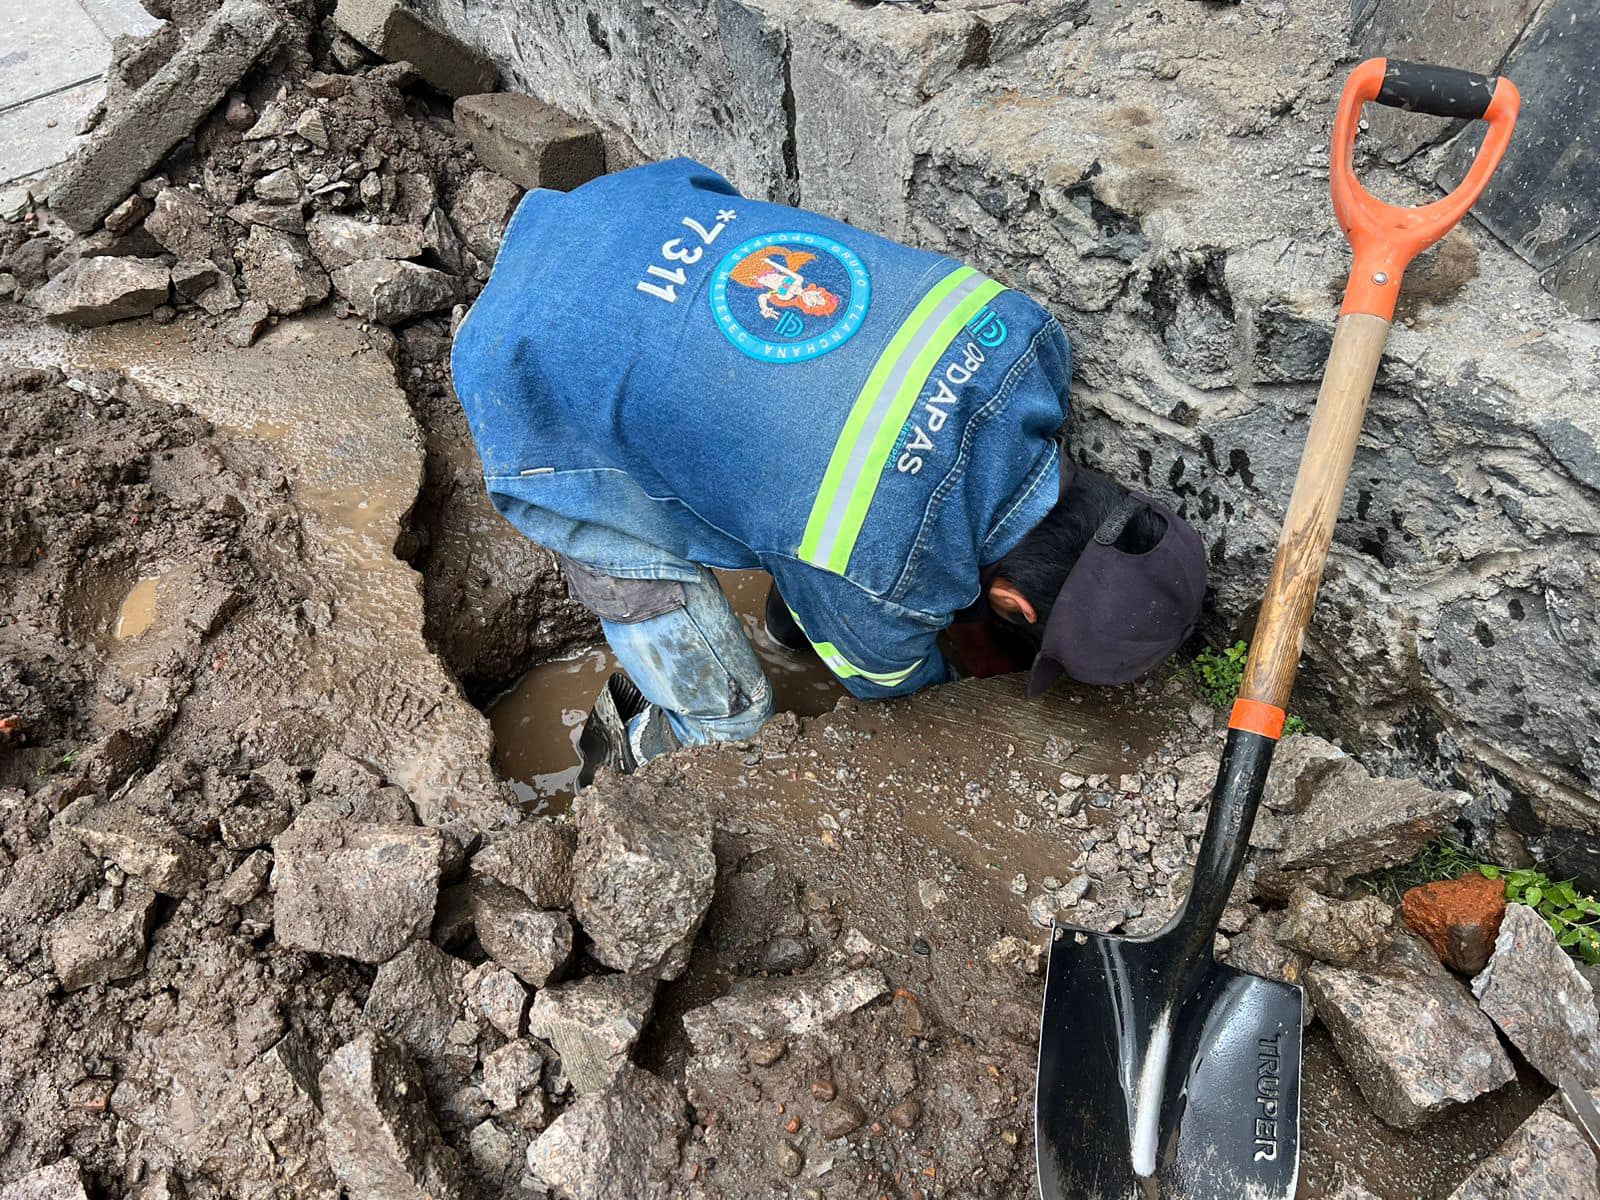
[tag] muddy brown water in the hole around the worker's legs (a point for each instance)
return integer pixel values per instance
(538, 721)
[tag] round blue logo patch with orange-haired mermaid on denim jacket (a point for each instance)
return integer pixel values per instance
(785, 298)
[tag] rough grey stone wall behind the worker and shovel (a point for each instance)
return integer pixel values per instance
(1158, 177)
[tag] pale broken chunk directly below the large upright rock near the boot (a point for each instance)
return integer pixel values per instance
(594, 1025)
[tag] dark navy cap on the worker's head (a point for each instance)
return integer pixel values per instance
(1121, 614)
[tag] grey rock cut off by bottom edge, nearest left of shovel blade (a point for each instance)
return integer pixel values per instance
(618, 1145)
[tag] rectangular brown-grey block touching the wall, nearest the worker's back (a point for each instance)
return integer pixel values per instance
(530, 143)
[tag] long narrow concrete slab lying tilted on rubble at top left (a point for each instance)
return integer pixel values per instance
(135, 138)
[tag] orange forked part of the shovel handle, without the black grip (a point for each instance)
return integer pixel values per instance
(1386, 238)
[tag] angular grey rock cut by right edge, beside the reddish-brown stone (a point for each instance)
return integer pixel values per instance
(1540, 999)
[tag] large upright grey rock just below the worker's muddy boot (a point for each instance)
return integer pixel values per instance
(642, 876)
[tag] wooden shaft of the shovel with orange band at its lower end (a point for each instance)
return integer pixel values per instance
(1308, 527)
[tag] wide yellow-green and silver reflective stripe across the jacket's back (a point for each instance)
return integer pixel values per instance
(881, 410)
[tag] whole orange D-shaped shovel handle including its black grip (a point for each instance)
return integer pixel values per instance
(1386, 238)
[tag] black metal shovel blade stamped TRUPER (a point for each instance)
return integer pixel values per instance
(1162, 1089)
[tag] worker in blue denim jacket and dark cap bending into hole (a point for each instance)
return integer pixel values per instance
(665, 377)
